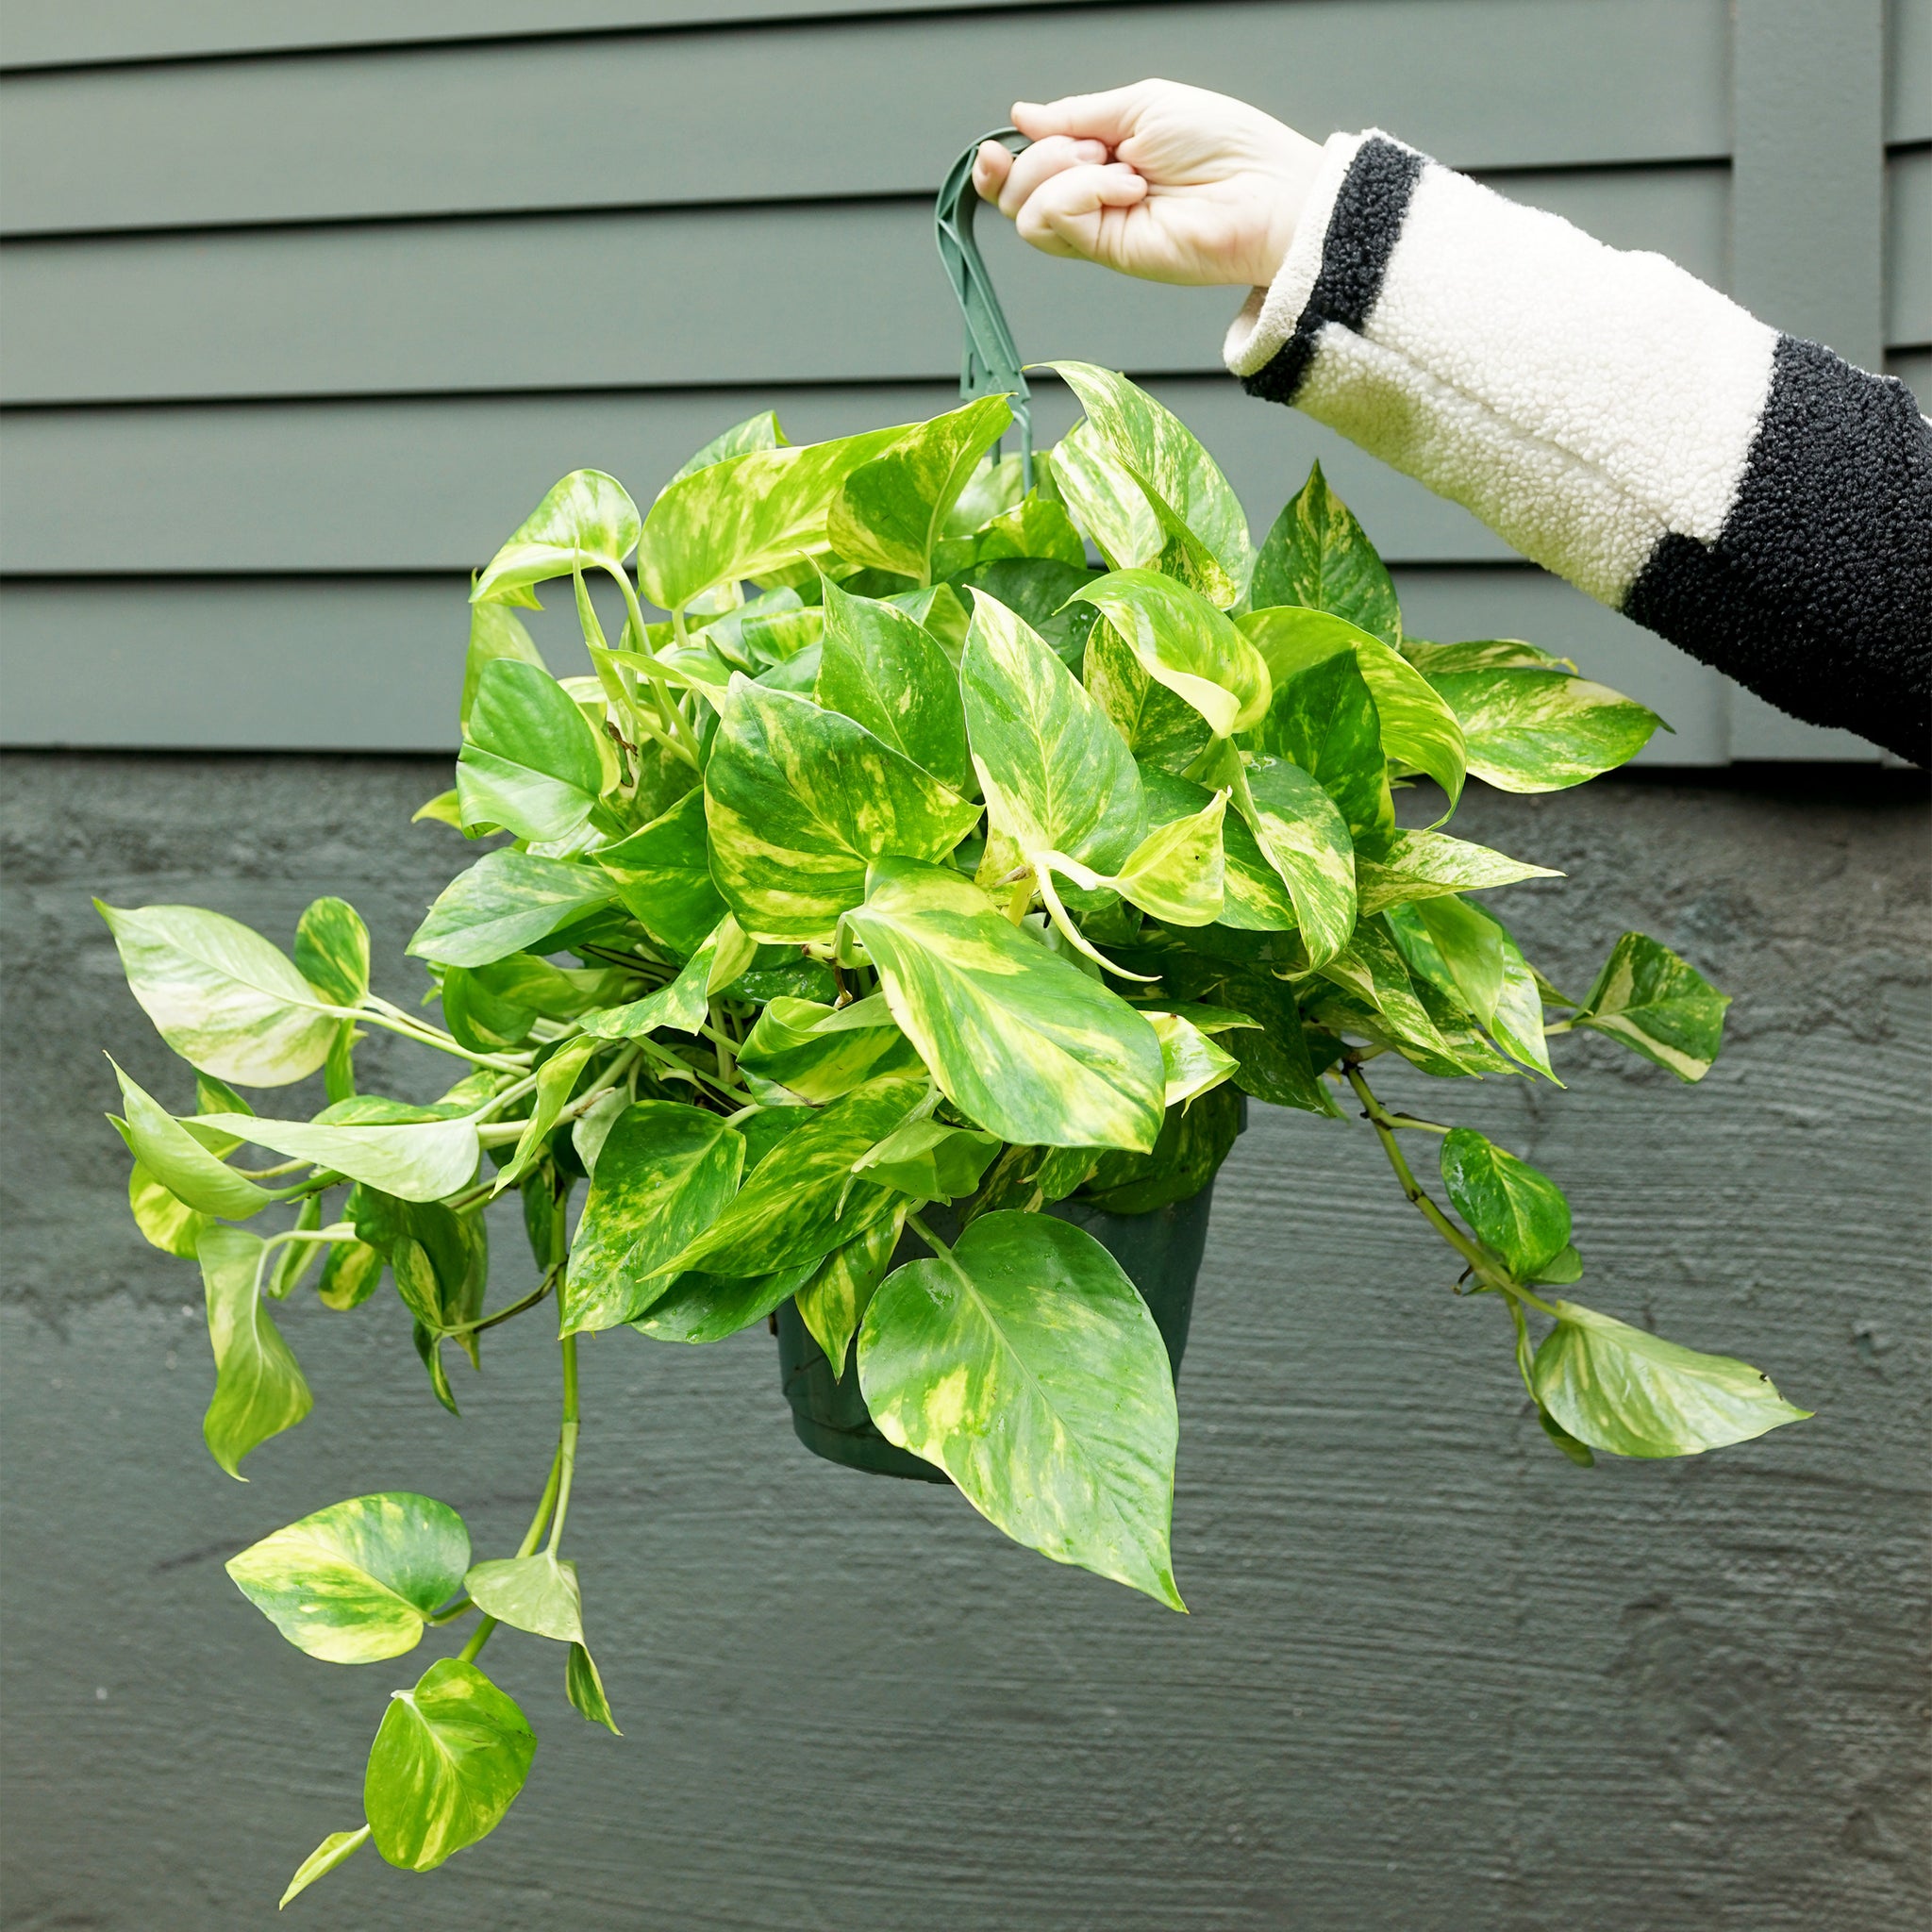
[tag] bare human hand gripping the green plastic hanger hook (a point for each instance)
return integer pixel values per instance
(1158, 181)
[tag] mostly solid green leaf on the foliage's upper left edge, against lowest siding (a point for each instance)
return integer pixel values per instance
(530, 762)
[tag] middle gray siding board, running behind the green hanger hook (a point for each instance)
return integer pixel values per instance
(747, 295)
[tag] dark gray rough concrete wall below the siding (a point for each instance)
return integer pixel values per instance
(1436, 1680)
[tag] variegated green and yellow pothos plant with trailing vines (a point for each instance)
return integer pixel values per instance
(909, 861)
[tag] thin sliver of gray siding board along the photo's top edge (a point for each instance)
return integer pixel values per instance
(53, 34)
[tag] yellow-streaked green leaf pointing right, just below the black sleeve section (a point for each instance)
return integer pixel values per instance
(1543, 731)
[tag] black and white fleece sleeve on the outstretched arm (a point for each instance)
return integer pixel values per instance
(1747, 496)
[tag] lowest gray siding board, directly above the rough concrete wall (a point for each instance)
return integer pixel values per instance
(376, 664)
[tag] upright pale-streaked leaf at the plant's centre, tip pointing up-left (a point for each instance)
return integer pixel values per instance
(1058, 776)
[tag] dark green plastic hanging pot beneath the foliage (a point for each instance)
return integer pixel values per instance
(1160, 1253)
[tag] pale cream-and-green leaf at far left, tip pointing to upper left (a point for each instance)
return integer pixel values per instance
(221, 996)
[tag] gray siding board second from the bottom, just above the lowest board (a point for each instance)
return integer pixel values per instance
(436, 484)
